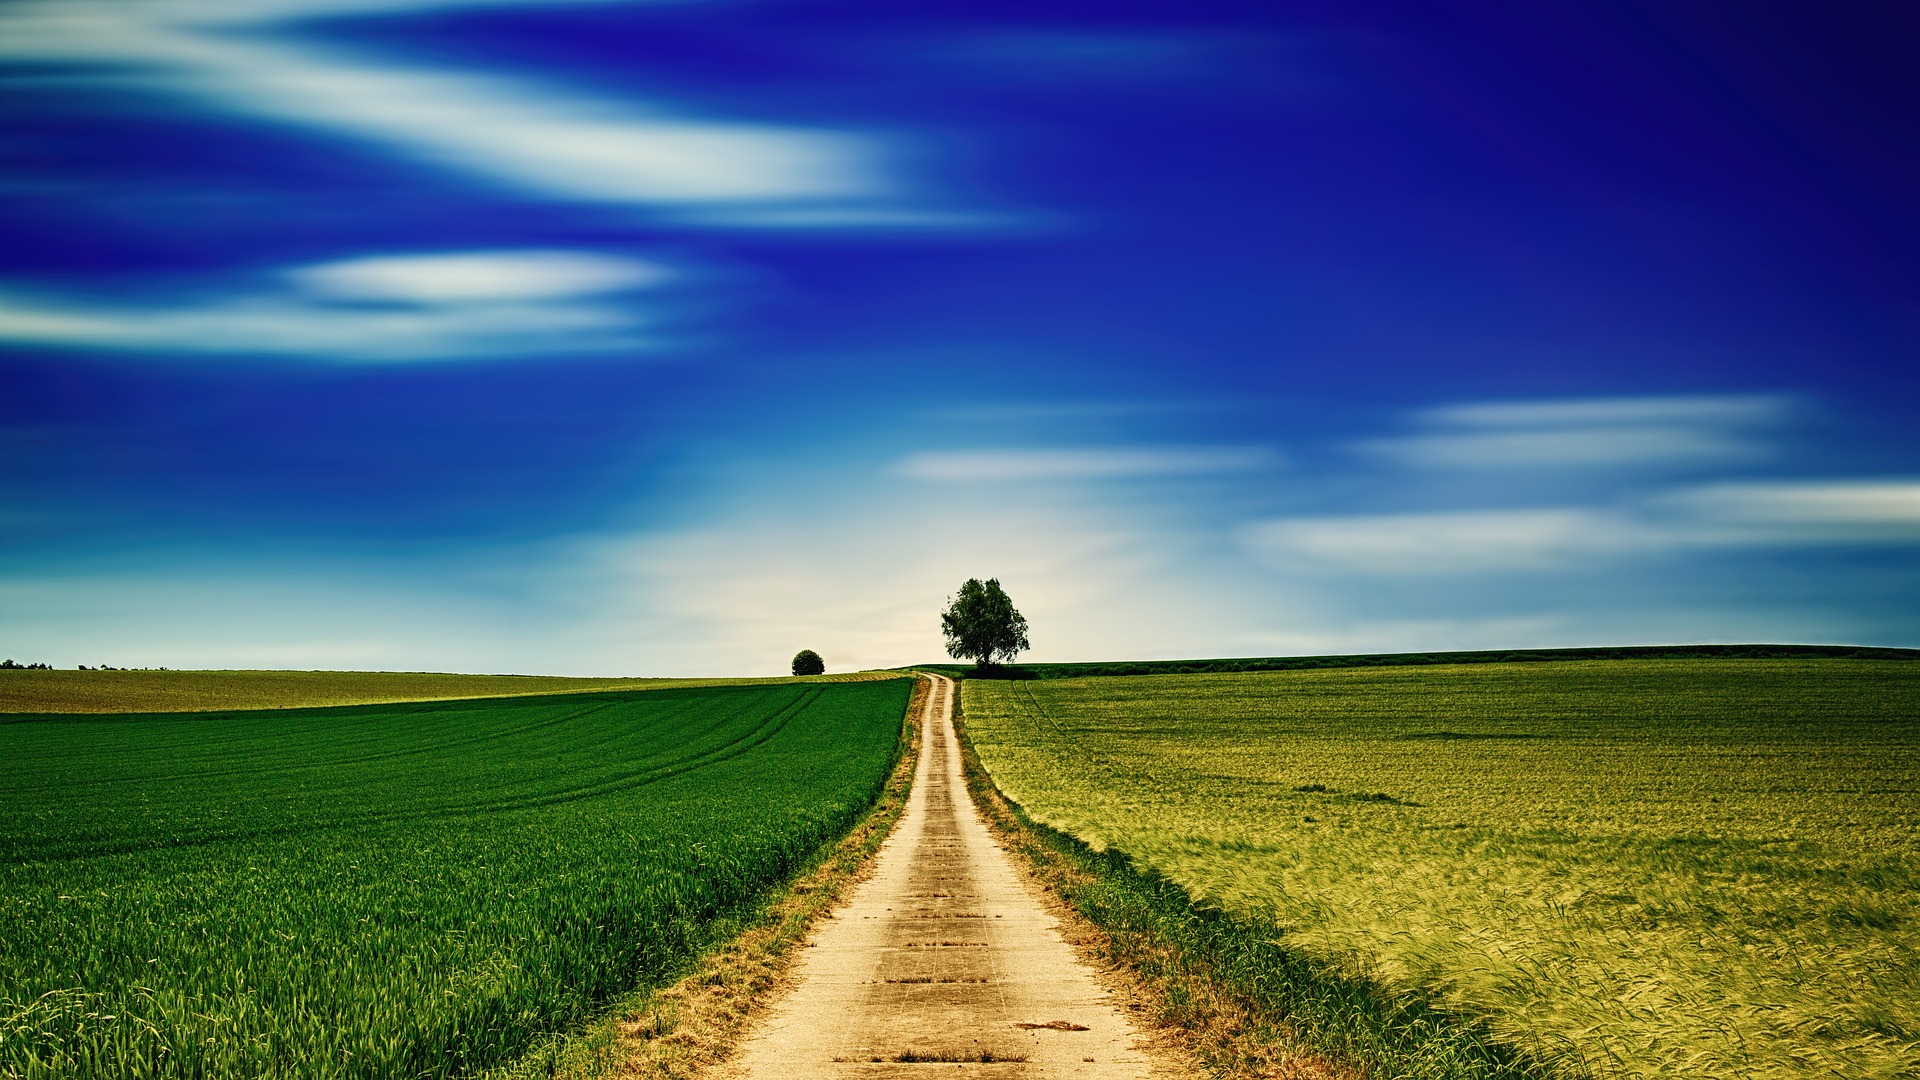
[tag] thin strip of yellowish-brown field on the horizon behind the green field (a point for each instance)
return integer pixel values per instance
(216, 691)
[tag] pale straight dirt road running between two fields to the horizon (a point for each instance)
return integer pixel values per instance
(946, 960)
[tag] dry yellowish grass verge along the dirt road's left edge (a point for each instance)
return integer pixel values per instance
(681, 1029)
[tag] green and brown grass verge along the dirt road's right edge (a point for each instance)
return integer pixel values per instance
(1280, 996)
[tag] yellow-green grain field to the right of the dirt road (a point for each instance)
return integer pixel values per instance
(1668, 868)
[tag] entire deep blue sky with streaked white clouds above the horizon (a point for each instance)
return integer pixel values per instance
(669, 337)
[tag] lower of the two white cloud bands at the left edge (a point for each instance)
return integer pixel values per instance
(387, 308)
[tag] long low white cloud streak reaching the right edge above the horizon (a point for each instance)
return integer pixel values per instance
(1522, 541)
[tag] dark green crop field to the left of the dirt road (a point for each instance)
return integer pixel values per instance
(396, 891)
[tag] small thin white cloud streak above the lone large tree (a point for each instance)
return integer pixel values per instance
(1084, 464)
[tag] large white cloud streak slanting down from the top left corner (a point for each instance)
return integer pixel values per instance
(516, 134)
